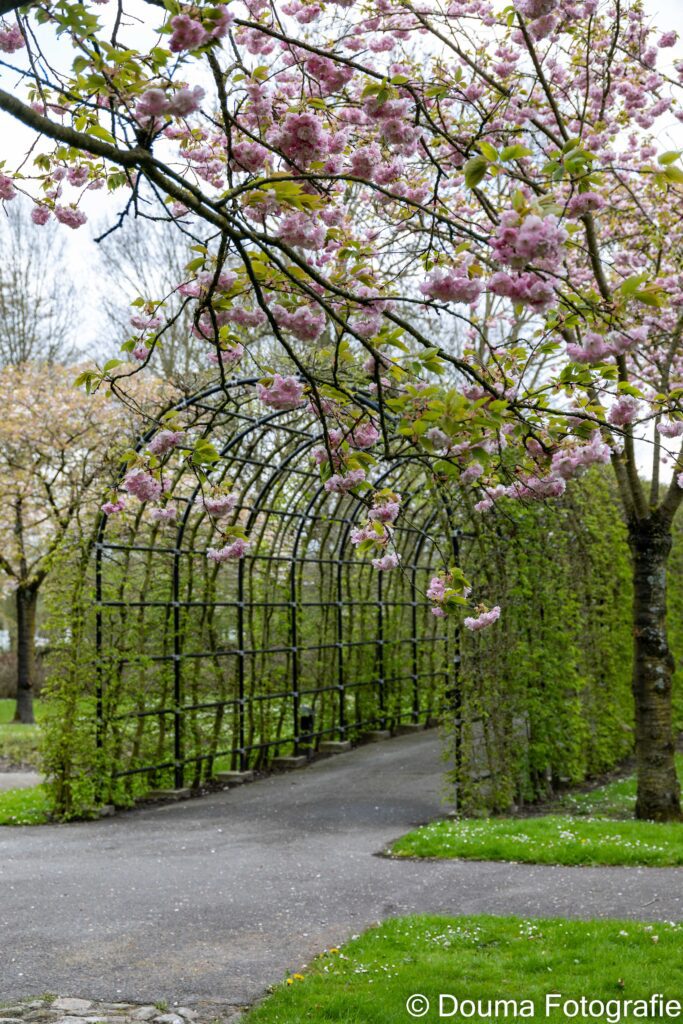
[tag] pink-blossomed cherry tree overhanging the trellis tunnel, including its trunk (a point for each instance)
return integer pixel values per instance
(371, 181)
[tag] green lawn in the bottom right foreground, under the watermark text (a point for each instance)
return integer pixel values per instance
(370, 980)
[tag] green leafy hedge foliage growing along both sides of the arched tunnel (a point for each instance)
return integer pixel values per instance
(540, 700)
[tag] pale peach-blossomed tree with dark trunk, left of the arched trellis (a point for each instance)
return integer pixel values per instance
(57, 456)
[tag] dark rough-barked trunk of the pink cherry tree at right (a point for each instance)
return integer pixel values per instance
(659, 789)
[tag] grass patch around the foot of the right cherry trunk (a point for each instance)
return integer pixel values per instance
(587, 828)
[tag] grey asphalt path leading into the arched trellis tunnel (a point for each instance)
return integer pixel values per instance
(217, 899)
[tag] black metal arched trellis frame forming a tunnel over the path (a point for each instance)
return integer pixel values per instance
(202, 668)
